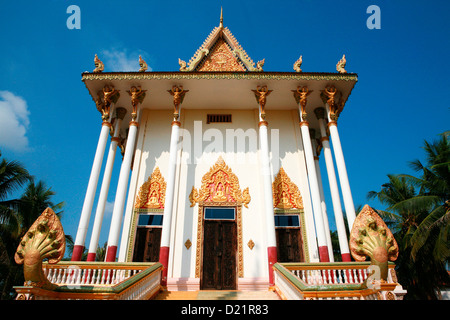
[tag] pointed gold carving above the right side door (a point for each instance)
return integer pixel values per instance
(285, 193)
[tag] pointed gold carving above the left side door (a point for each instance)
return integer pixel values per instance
(152, 193)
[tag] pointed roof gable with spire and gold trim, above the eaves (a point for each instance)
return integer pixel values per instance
(220, 52)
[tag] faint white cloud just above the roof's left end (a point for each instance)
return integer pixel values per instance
(121, 60)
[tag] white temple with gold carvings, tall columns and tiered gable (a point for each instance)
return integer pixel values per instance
(220, 184)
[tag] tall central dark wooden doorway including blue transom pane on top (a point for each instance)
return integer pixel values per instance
(219, 263)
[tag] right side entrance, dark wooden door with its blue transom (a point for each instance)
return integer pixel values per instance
(289, 238)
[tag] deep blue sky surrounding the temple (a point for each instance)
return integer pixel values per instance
(49, 122)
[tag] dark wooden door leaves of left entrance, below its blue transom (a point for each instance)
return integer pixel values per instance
(146, 248)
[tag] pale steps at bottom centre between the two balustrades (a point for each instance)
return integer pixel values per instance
(217, 295)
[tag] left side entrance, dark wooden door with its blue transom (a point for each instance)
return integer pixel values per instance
(148, 238)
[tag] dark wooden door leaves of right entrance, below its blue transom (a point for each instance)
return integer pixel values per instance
(289, 245)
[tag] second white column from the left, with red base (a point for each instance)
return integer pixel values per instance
(120, 112)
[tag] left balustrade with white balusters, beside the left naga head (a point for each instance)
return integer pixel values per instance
(96, 281)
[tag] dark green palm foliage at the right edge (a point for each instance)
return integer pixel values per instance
(417, 213)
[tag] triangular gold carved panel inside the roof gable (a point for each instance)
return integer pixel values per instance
(221, 58)
